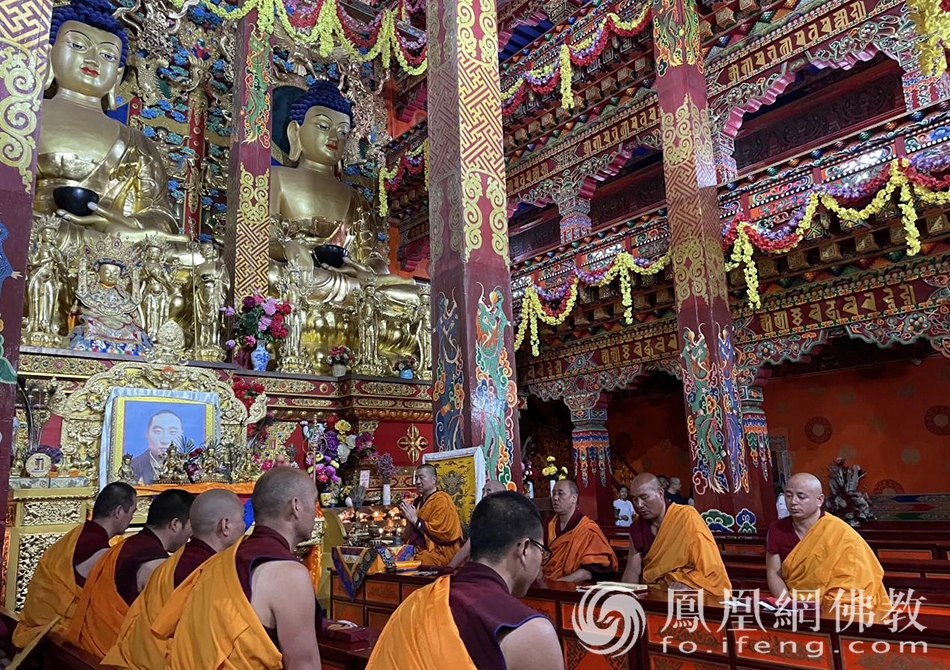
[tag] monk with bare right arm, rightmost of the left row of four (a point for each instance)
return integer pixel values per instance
(252, 606)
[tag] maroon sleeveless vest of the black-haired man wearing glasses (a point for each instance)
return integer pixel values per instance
(483, 609)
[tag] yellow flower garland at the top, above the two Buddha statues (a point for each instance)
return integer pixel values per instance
(326, 32)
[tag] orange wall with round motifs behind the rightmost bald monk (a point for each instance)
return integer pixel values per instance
(893, 420)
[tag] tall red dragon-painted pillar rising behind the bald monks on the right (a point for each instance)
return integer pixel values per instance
(721, 479)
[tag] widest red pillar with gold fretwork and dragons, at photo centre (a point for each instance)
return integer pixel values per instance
(474, 391)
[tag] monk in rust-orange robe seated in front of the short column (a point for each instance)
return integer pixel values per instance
(578, 547)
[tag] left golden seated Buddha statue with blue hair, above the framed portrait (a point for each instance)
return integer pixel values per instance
(79, 145)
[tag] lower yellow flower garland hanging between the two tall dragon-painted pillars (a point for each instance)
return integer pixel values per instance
(533, 310)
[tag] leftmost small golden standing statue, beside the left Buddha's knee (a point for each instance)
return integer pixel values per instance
(46, 275)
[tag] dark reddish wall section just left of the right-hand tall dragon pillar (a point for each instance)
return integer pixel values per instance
(650, 433)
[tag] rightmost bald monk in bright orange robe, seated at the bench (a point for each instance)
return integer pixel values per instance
(811, 555)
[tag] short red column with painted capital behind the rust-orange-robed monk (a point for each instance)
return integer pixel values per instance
(590, 448)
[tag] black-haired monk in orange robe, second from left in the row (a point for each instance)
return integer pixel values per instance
(116, 581)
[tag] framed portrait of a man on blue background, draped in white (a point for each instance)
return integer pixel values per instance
(146, 422)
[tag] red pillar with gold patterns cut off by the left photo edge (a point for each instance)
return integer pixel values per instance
(24, 50)
